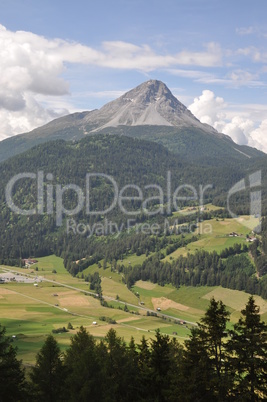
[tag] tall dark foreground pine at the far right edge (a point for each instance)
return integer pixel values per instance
(249, 348)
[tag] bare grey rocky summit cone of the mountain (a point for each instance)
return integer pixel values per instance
(150, 103)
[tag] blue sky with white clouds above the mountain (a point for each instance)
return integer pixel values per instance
(60, 56)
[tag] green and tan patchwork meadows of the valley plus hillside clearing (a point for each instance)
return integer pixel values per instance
(31, 312)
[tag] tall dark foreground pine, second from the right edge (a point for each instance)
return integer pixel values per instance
(204, 368)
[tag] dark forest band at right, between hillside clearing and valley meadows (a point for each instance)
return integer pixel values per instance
(232, 269)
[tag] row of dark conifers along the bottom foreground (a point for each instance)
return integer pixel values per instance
(214, 364)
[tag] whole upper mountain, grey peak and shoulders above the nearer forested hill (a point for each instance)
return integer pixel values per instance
(150, 112)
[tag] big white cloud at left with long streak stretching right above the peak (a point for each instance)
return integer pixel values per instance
(32, 66)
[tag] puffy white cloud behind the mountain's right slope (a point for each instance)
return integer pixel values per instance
(214, 111)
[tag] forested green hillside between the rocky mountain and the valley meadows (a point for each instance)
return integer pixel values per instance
(141, 223)
